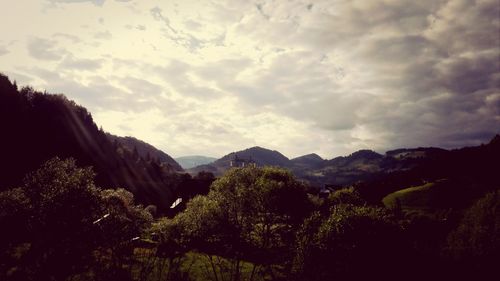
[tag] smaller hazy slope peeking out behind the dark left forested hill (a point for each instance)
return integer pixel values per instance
(145, 150)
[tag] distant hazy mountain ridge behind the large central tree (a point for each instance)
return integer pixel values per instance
(343, 170)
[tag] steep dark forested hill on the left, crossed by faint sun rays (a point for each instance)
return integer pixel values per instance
(38, 126)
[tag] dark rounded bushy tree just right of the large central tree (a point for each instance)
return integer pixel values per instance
(352, 243)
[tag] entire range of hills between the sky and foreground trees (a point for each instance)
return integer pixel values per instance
(38, 126)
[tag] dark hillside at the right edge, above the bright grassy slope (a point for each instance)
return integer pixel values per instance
(463, 175)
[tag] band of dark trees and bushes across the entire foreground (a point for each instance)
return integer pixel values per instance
(254, 224)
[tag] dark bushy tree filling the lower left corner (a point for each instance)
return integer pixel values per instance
(59, 222)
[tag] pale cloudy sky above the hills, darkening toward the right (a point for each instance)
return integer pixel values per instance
(211, 77)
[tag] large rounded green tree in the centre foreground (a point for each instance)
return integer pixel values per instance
(249, 213)
